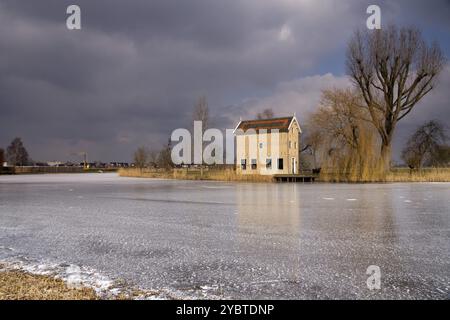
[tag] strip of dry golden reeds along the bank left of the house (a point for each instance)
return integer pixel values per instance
(184, 174)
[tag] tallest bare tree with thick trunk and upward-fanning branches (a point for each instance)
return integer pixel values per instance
(393, 70)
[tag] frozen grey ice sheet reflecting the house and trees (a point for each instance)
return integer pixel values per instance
(234, 240)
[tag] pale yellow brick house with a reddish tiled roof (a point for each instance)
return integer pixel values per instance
(254, 141)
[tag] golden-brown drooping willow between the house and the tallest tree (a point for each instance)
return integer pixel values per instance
(343, 139)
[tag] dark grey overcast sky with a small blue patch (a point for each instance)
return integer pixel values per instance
(132, 74)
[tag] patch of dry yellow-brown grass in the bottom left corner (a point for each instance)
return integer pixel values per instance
(20, 285)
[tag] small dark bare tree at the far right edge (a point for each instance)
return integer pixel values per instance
(425, 145)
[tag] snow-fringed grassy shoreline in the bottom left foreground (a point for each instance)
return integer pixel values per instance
(34, 280)
